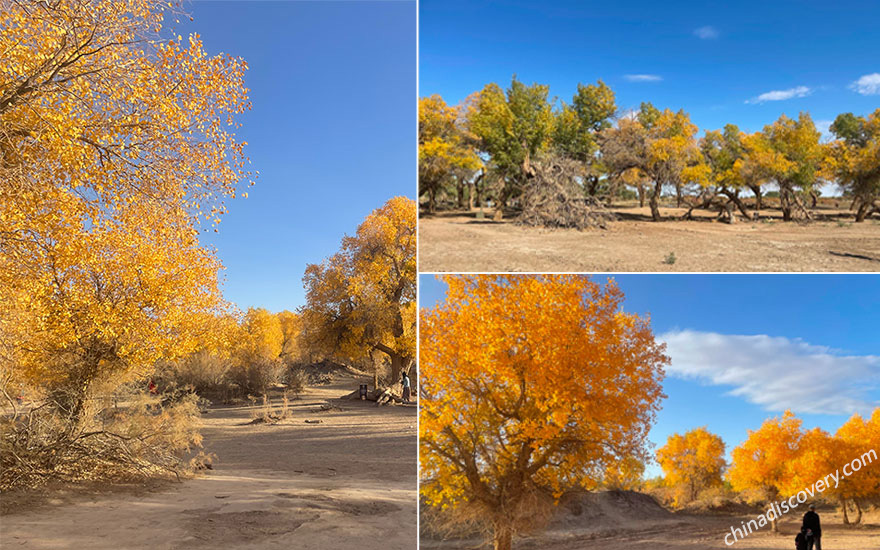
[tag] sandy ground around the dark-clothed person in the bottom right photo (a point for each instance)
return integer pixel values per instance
(687, 533)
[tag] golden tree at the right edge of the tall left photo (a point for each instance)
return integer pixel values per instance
(362, 298)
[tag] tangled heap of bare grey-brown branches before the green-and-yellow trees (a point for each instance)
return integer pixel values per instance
(555, 197)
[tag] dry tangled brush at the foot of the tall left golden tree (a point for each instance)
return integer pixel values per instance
(142, 437)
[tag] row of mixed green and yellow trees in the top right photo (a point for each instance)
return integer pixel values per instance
(521, 149)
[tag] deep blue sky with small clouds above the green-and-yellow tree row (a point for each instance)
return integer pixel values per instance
(708, 58)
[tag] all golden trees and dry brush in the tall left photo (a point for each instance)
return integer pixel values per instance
(117, 149)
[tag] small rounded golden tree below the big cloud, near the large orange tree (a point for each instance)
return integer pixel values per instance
(692, 462)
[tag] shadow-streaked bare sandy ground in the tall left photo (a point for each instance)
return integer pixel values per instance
(349, 481)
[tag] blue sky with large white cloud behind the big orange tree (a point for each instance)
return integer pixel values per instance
(727, 374)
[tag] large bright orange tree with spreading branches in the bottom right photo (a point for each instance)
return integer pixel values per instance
(532, 386)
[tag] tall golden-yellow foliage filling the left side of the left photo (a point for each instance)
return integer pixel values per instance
(115, 141)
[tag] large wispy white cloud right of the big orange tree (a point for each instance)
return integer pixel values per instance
(777, 373)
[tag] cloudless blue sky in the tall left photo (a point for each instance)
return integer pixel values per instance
(332, 131)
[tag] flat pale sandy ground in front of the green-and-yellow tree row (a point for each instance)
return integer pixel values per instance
(459, 242)
